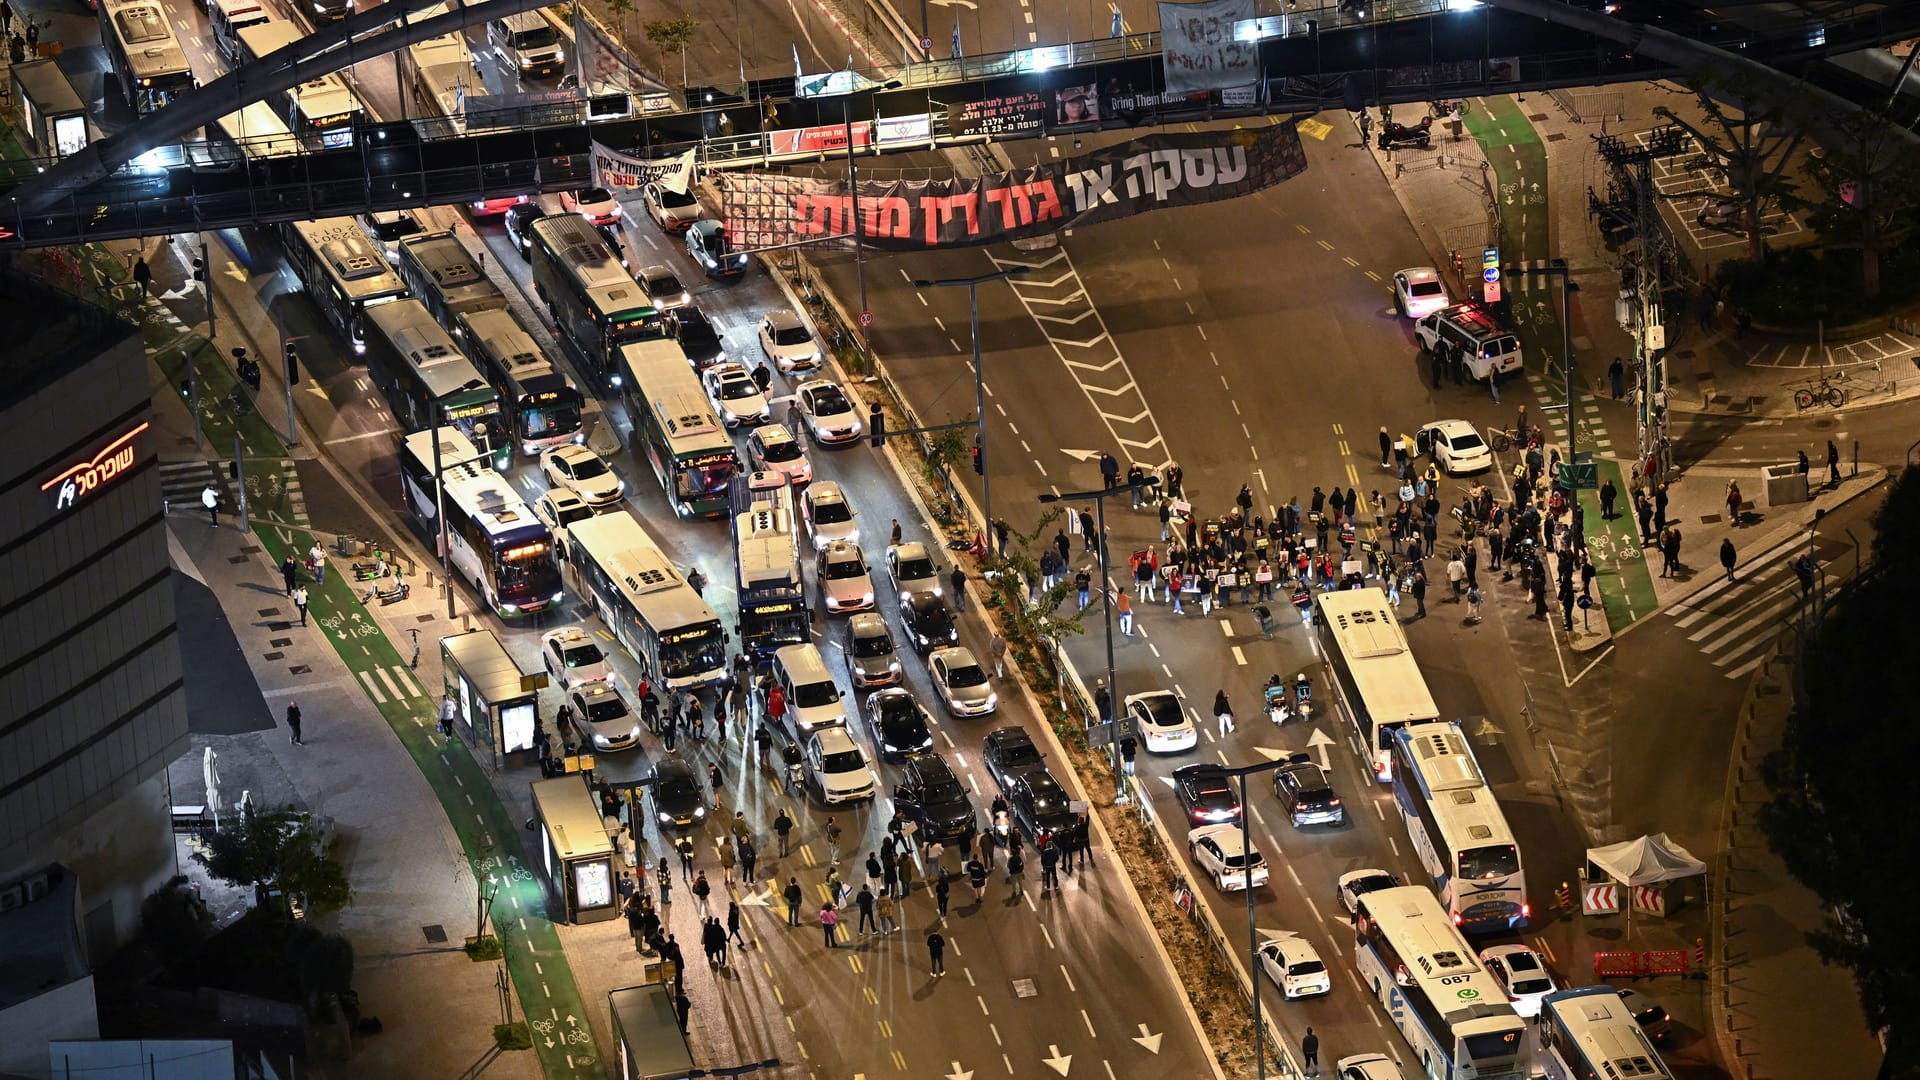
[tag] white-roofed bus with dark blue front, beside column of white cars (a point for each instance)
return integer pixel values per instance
(767, 562)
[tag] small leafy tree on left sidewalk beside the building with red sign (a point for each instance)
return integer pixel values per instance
(279, 852)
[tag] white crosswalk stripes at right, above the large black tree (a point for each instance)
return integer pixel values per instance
(1735, 622)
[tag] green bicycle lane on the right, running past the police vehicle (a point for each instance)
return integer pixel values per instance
(1520, 160)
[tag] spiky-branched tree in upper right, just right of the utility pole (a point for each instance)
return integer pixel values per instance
(1750, 151)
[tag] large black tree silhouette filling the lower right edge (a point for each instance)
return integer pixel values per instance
(1838, 816)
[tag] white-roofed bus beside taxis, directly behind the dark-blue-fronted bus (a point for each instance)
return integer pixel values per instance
(677, 428)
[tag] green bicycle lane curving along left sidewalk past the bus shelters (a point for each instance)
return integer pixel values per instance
(489, 835)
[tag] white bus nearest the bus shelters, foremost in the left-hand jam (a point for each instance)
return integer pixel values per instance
(646, 602)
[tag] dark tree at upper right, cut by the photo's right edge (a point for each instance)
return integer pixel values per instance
(1871, 184)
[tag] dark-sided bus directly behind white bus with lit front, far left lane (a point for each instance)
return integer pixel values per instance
(429, 381)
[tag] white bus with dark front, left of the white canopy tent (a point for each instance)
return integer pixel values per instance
(1458, 829)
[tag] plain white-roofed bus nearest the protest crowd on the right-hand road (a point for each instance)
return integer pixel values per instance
(1372, 672)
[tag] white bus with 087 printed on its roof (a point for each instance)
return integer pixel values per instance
(1433, 989)
